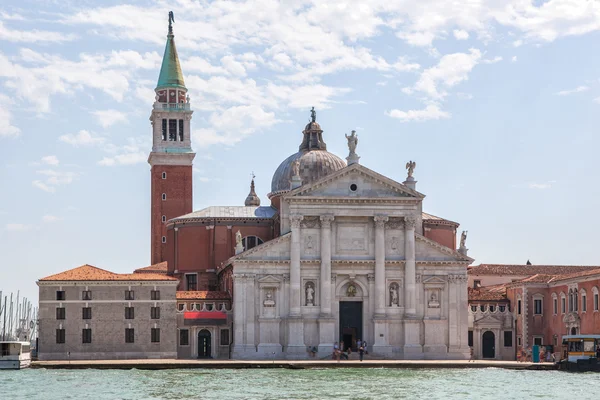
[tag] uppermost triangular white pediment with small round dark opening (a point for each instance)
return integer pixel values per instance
(356, 181)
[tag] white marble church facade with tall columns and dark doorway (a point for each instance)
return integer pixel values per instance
(353, 238)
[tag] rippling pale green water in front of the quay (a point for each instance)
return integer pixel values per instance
(342, 383)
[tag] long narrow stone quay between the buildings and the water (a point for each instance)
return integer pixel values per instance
(300, 364)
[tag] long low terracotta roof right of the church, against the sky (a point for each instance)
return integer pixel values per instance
(527, 270)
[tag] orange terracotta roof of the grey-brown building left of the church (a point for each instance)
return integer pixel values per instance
(90, 273)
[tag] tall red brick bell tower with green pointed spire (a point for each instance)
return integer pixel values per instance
(171, 157)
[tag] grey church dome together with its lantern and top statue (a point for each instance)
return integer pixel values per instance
(315, 161)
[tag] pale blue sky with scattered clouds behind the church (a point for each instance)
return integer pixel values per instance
(498, 102)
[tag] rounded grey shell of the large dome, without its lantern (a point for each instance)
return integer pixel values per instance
(314, 164)
